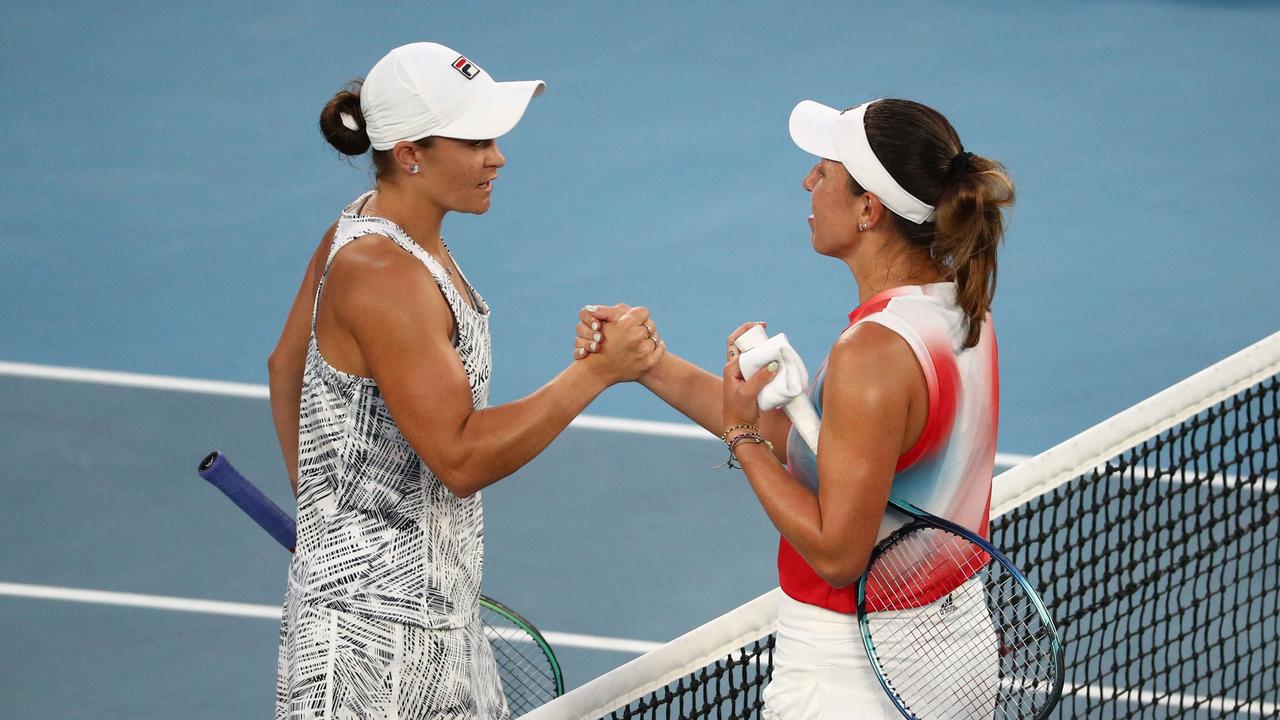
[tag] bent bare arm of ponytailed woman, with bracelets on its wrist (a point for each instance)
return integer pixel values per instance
(872, 381)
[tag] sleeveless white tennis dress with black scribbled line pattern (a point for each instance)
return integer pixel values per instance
(382, 608)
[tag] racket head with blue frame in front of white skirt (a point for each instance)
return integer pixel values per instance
(954, 630)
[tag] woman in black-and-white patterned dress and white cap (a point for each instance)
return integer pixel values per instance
(380, 391)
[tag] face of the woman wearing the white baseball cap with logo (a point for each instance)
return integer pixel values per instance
(458, 175)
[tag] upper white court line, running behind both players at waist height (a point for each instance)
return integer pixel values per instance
(260, 393)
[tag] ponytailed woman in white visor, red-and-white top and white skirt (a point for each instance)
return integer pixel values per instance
(909, 393)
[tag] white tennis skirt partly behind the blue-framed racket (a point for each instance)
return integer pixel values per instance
(821, 669)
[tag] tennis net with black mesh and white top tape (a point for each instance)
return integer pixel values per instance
(1154, 537)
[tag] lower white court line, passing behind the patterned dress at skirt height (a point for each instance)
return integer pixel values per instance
(268, 613)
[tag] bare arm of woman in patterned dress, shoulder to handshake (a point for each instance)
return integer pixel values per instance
(401, 323)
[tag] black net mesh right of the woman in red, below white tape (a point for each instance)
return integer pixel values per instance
(1163, 568)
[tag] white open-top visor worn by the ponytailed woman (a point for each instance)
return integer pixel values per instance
(842, 136)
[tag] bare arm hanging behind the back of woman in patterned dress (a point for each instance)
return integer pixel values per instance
(286, 364)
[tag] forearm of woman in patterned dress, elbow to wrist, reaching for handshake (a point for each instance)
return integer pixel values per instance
(495, 443)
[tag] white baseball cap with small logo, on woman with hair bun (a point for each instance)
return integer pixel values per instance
(426, 89)
